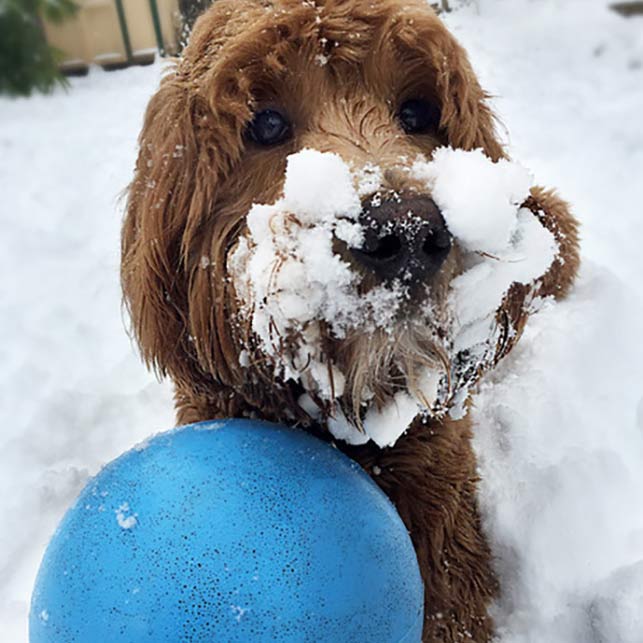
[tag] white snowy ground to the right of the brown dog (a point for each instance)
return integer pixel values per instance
(558, 426)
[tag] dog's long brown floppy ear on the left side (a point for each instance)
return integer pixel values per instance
(191, 139)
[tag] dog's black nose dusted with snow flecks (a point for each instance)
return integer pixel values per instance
(405, 238)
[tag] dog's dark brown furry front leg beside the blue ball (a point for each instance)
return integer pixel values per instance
(430, 475)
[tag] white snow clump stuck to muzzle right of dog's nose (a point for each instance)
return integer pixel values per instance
(502, 243)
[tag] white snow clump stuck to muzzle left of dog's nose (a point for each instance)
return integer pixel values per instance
(288, 275)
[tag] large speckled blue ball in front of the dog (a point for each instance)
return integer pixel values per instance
(231, 531)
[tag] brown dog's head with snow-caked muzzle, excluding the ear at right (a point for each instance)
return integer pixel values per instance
(347, 285)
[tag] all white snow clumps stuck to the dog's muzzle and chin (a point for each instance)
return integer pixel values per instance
(290, 277)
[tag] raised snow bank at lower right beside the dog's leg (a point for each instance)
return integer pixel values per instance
(559, 439)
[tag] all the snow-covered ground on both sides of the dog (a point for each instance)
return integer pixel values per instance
(560, 423)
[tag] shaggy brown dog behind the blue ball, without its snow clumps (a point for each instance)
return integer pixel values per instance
(372, 82)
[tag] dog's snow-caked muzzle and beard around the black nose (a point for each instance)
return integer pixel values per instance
(372, 355)
